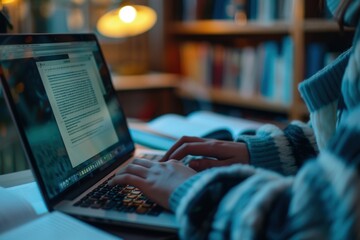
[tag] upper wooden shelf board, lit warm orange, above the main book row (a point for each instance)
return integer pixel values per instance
(226, 27)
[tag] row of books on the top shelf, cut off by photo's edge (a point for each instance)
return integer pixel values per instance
(262, 10)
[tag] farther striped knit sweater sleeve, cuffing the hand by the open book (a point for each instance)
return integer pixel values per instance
(281, 150)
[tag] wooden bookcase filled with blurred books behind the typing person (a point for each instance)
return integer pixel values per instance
(303, 27)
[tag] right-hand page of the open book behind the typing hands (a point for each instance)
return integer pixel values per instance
(218, 121)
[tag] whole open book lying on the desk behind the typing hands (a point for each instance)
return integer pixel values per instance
(163, 131)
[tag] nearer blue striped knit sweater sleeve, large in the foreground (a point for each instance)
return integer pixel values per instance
(243, 202)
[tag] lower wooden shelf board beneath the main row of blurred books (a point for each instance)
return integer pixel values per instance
(197, 92)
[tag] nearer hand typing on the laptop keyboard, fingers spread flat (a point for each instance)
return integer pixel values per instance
(157, 180)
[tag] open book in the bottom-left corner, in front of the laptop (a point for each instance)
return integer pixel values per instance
(19, 220)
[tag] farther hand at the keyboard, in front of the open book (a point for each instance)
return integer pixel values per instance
(224, 152)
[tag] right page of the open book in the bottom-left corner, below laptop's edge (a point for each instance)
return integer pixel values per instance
(55, 226)
